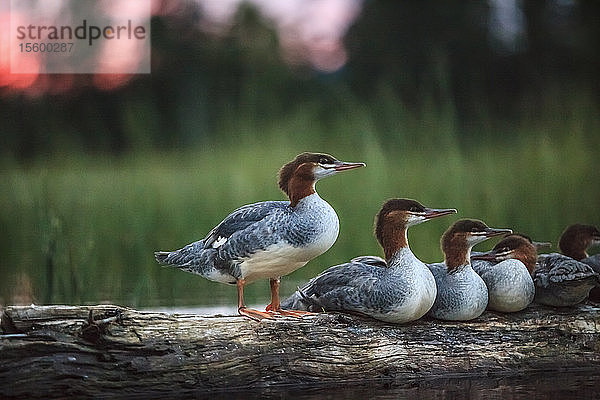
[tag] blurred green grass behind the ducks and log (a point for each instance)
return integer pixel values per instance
(83, 229)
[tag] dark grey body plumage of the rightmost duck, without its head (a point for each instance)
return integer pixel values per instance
(561, 281)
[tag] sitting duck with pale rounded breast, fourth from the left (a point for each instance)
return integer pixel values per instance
(506, 271)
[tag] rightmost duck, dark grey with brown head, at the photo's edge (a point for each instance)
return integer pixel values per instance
(560, 279)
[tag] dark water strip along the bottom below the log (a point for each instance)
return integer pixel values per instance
(550, 385)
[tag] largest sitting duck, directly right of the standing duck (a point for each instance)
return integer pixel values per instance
(398, 289)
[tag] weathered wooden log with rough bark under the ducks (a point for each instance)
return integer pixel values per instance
(48, 351)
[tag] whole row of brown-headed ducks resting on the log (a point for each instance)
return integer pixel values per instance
(274, 238)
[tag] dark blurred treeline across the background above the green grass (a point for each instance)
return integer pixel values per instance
(426, 54)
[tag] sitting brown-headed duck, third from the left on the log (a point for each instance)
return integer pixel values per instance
(462, 294)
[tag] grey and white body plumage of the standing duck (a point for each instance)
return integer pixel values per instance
(261, 240)
